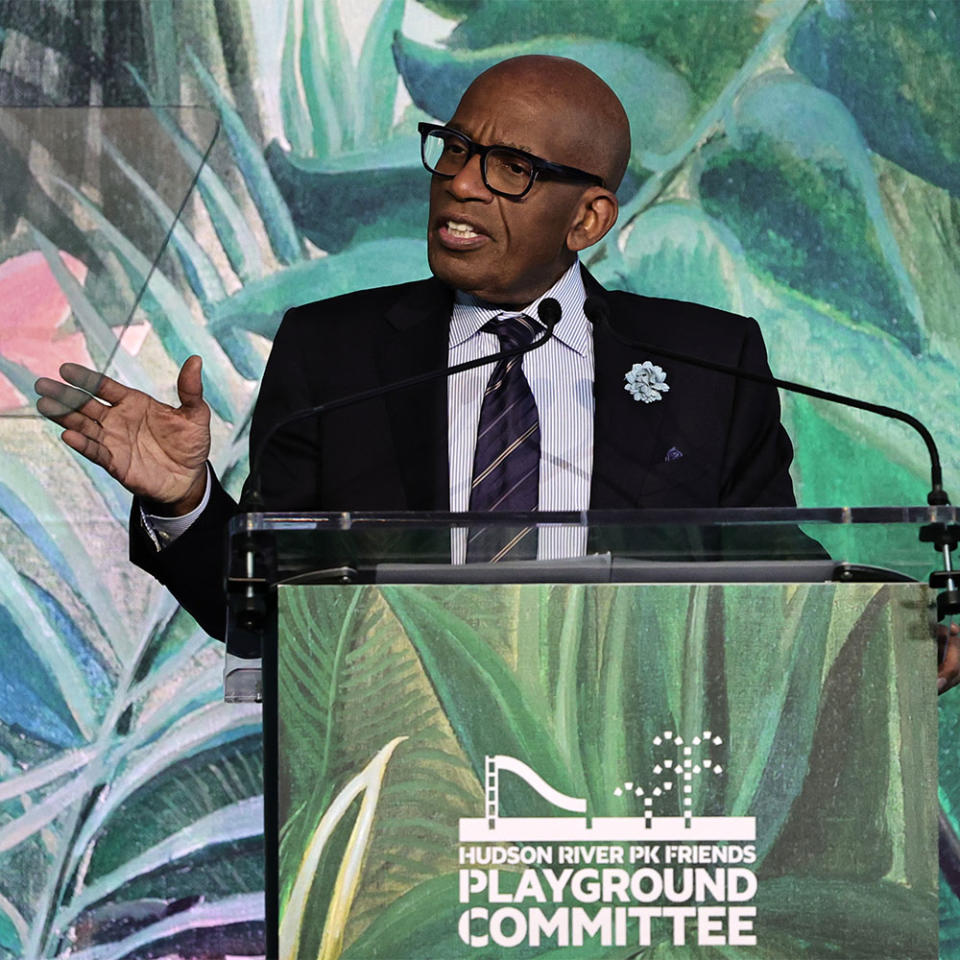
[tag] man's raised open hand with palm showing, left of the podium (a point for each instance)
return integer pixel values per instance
(156, 451)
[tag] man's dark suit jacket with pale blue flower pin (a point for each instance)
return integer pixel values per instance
(391, 453)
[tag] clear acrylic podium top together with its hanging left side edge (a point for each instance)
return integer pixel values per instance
(759, 545)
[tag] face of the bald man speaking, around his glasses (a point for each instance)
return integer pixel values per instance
(505, 251)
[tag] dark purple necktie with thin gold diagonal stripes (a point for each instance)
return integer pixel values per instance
(506, 461)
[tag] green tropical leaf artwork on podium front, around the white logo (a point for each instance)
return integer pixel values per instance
(579, 682)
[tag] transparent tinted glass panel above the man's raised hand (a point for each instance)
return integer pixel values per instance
(89, 200)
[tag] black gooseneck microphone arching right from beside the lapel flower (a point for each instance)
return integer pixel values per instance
(597, 313)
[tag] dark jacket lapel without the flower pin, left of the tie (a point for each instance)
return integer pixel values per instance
(415, 341)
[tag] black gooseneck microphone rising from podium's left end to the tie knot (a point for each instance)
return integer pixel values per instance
(548, 313)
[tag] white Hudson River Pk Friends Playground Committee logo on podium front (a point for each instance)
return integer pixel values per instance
(664, 875)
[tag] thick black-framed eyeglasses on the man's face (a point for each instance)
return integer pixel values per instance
(505, 171)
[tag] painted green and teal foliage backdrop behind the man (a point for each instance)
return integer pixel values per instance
(794, 160)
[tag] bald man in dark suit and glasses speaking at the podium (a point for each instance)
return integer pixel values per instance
(523, 178)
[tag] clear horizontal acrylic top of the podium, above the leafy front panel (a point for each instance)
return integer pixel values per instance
(357, 544)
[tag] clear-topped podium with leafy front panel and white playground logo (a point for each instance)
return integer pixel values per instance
(721, 724)
